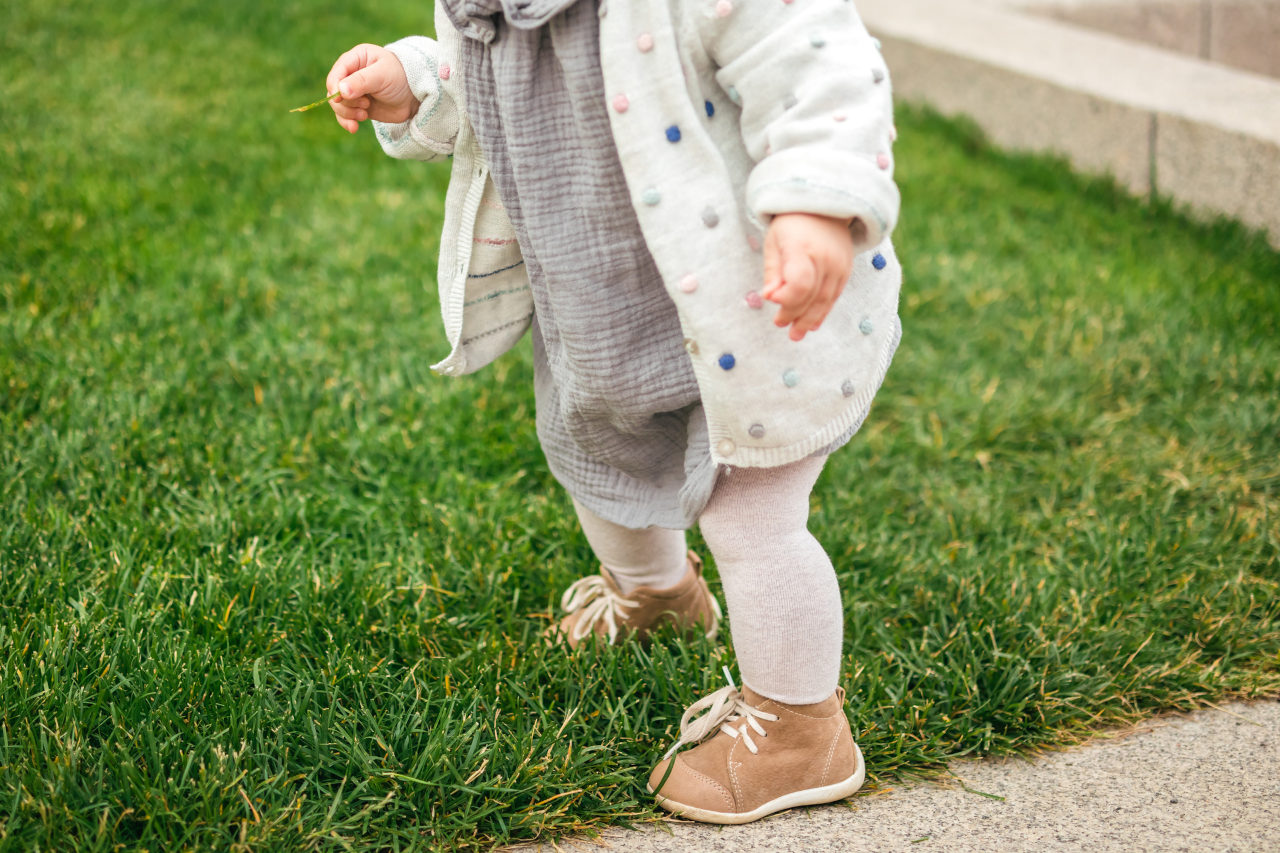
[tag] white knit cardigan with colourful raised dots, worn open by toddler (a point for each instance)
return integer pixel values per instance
(725, 113)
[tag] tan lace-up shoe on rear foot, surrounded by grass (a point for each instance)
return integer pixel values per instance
(595, 606)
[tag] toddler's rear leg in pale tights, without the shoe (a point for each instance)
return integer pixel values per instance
(650, 558)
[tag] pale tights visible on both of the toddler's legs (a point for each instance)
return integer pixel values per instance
(784, 600)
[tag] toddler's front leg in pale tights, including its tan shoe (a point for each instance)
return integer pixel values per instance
(784, 741)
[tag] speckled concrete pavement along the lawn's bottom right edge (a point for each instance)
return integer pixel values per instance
(1206, 782)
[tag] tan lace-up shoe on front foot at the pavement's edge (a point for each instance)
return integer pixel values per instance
(761, 758)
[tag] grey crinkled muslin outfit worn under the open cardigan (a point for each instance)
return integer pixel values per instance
(619, 410)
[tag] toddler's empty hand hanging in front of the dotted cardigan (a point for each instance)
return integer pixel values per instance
(807, 262)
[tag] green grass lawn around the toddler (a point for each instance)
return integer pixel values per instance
(267, 583)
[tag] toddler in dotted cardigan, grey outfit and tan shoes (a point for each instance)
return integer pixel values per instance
(689, 203)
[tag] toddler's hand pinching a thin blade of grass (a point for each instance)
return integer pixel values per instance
(373, 86)
